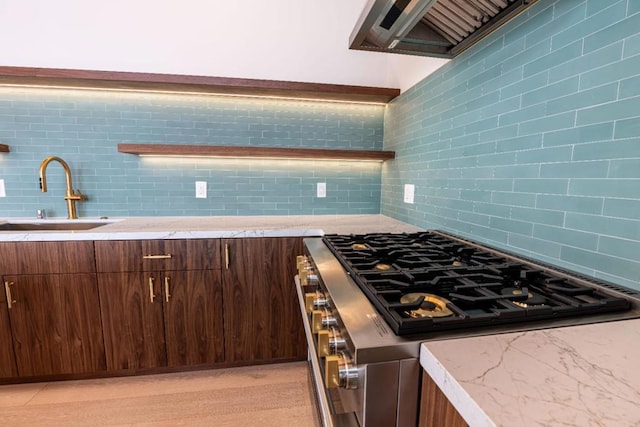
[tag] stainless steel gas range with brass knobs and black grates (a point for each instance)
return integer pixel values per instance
(369, 301)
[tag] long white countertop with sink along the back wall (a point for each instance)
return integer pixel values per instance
(212, 227)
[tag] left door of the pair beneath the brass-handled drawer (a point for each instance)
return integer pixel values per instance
(131, 307)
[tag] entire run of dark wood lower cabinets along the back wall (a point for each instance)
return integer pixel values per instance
(83, 308)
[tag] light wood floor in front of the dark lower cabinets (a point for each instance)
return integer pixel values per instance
(268, 395)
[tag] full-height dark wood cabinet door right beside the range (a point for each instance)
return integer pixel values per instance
(262, 321)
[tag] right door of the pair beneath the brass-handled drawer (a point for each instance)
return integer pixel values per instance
(193, 317)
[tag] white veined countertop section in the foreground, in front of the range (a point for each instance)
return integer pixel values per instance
(573, 376)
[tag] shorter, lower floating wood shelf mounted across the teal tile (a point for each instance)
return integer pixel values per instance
(255, 152)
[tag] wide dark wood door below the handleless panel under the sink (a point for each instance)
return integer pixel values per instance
(56, 326)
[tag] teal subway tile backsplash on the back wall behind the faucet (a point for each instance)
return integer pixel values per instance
(85, 127)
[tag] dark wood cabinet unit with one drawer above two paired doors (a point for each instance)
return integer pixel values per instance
(161, 303)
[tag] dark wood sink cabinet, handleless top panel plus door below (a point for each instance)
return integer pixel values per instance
(54, 315)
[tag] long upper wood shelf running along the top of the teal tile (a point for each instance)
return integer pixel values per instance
(114, 80)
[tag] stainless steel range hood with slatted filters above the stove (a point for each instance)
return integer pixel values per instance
(440, 28)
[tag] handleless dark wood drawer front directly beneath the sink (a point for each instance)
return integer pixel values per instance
(46, 257)
